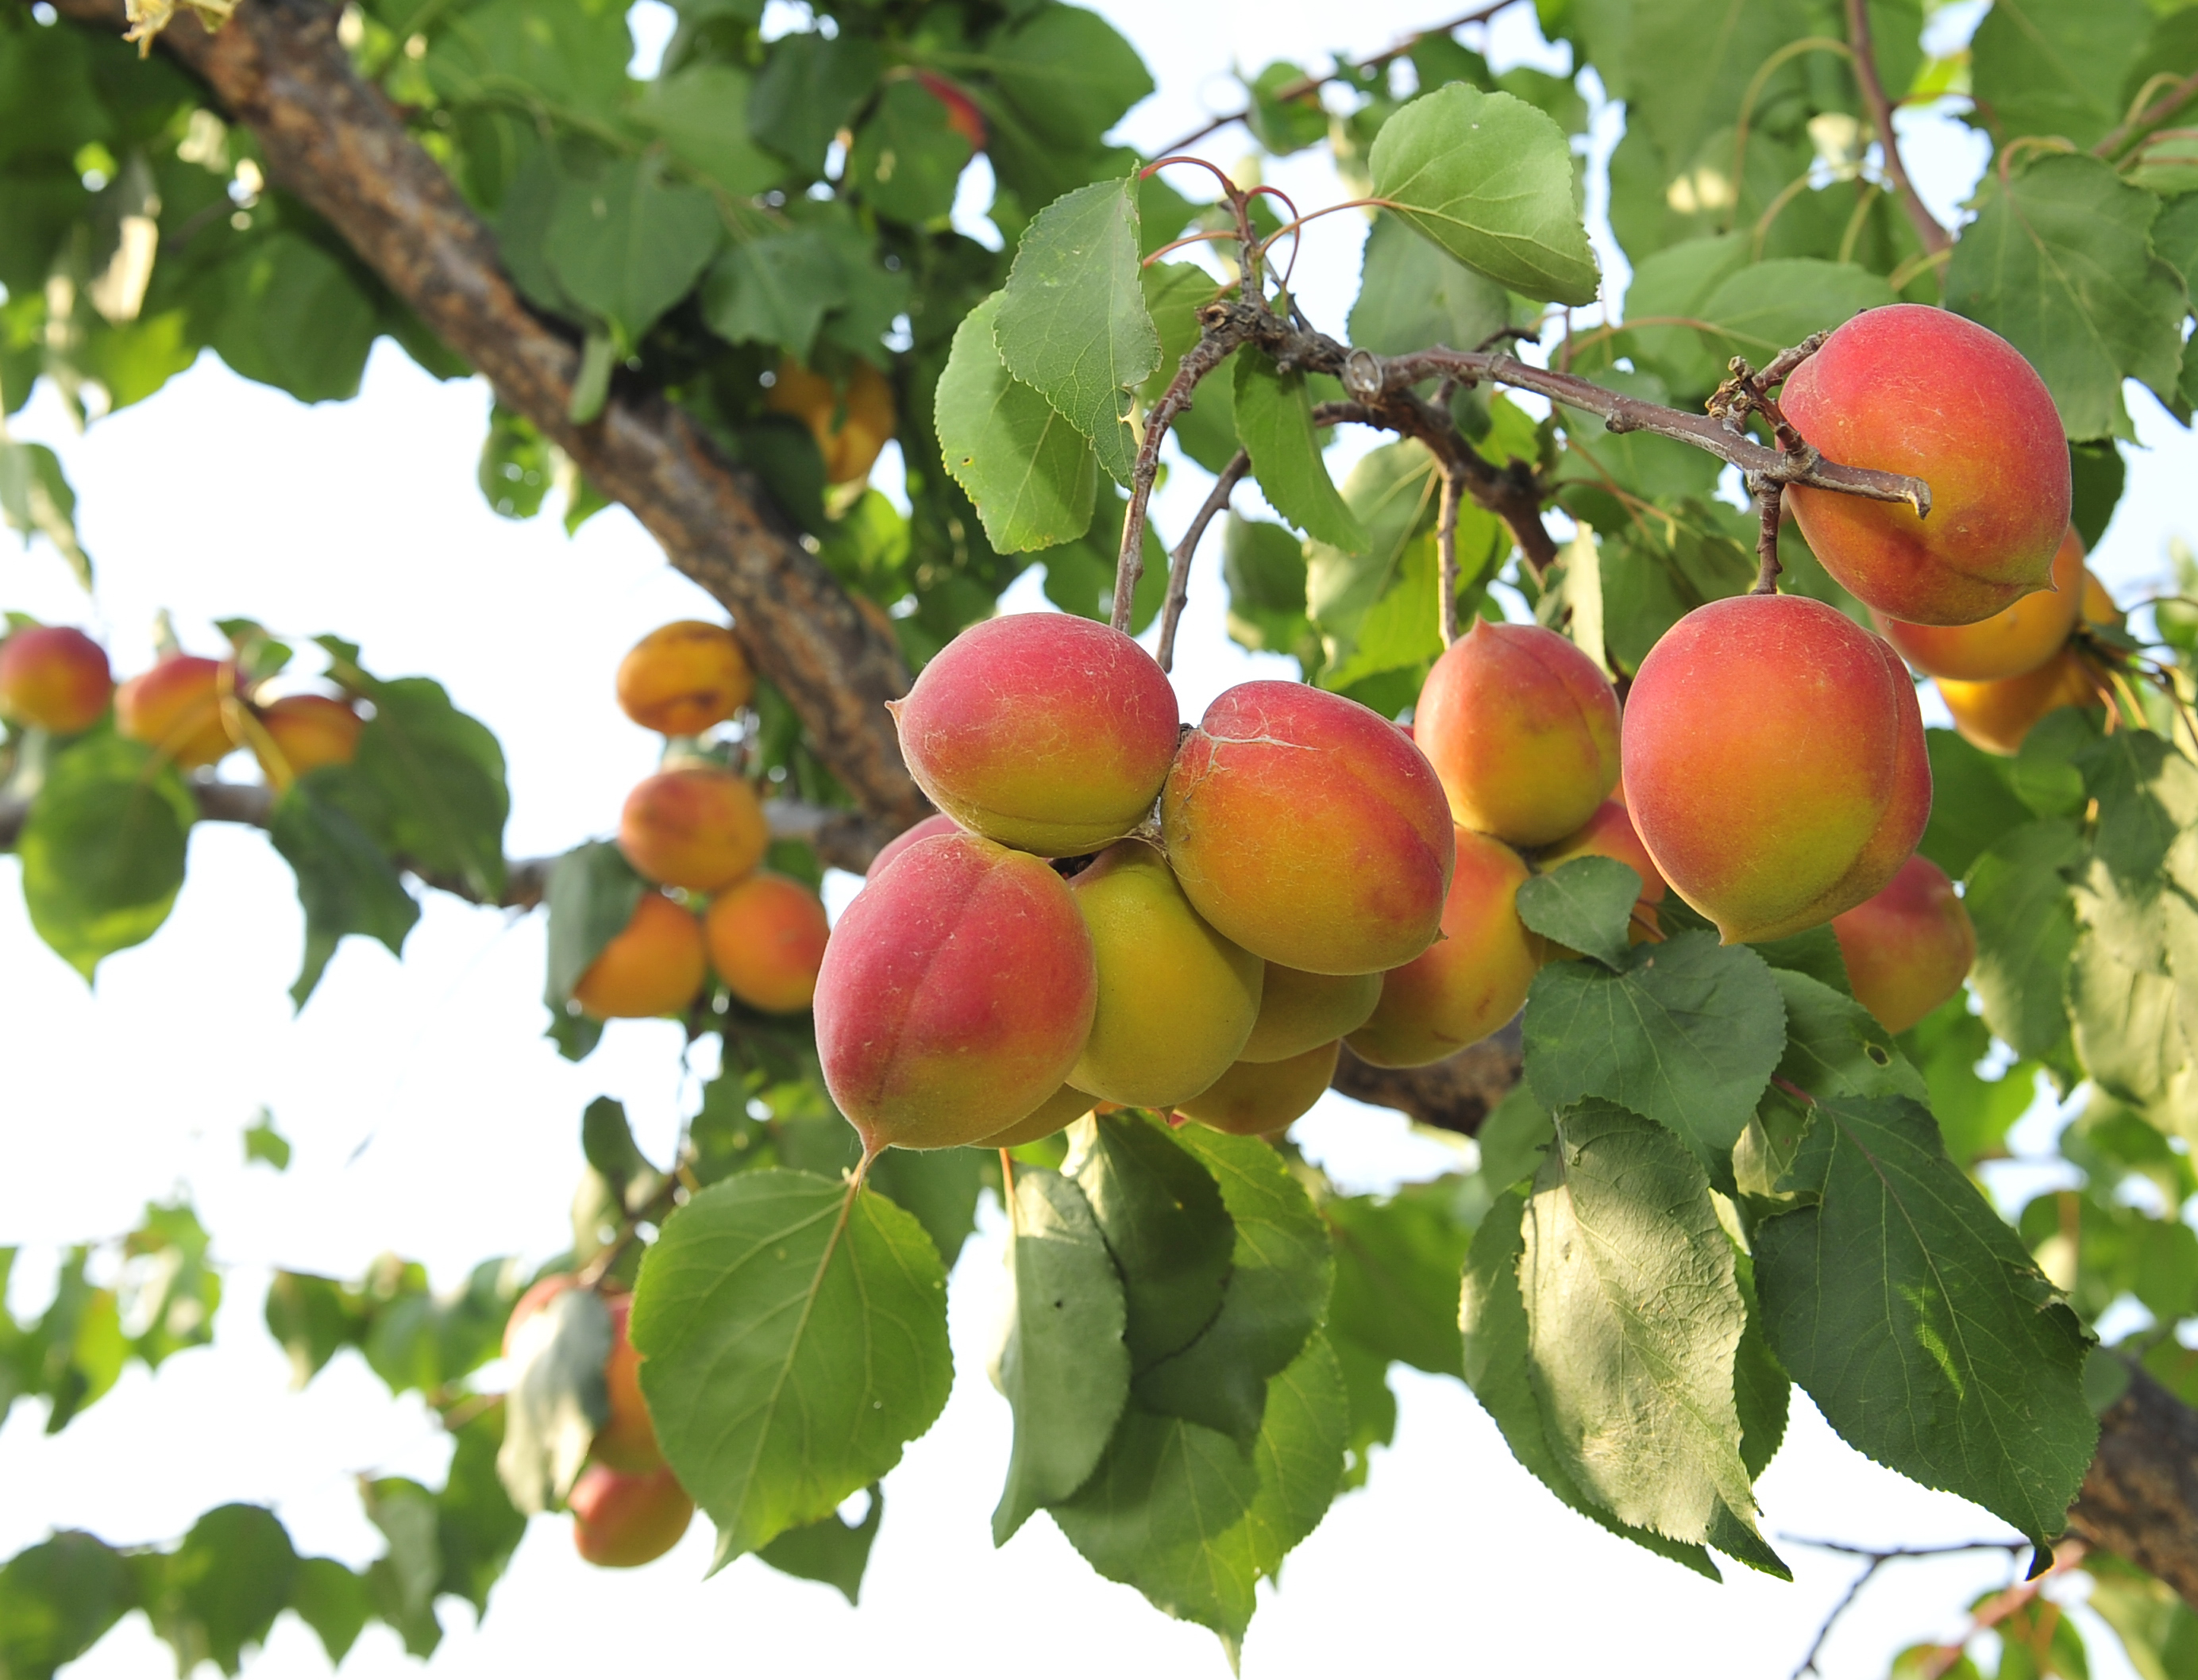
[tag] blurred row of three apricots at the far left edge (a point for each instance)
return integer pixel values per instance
(188, 709)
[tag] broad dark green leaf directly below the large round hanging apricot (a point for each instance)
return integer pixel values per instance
(1687, 1035)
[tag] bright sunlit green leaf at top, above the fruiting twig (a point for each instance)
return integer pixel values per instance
(1491, 181)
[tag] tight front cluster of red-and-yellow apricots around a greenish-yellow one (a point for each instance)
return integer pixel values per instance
(1115, 909)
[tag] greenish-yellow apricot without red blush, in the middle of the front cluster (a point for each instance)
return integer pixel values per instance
(1177, 1002)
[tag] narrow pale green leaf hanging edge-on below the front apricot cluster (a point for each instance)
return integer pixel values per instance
(1063, 1362)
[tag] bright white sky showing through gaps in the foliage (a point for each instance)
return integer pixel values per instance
(432, 1118)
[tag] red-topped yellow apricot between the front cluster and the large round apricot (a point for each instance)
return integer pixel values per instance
(1522, 731)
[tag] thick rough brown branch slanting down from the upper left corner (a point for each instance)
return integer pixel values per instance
(340, 146)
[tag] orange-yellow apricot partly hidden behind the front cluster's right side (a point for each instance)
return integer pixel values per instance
(1474, 980)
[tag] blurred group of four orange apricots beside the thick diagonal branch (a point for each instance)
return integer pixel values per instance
(698, 828)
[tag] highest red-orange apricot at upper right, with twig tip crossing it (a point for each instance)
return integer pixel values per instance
(1924, 393)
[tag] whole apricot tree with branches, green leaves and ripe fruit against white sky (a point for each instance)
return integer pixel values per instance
(1718, 1028)
